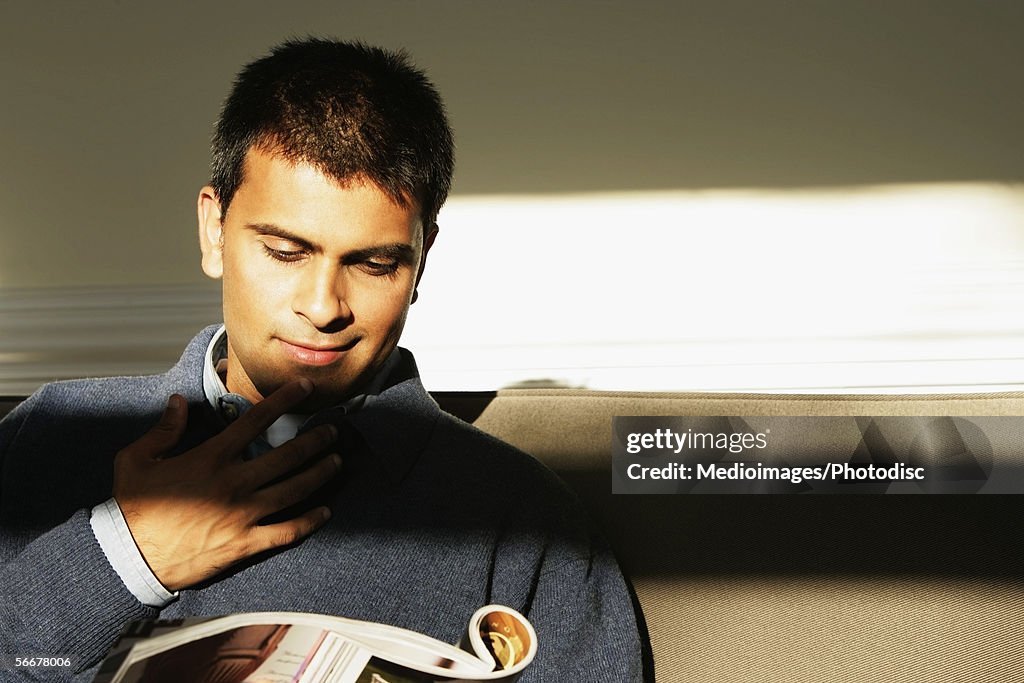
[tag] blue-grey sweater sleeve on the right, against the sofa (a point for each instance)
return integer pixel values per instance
(565, 579)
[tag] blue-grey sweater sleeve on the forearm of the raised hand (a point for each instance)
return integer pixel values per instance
(59, 595)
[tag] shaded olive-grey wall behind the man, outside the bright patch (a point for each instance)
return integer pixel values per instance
(108, 110)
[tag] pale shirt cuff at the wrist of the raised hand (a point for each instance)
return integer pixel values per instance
(117, 543)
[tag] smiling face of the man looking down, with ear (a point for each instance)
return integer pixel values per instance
(318, 277)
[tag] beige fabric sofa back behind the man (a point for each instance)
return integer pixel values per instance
(758, 589)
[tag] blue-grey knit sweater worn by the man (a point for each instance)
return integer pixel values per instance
(433, 519)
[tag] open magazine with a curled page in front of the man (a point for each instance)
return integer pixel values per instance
(292, 648)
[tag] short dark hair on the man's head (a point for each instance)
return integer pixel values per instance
(347, 109)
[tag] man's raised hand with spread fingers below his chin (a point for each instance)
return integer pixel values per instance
(194, 516)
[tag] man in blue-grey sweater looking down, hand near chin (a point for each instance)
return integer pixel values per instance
(330, 164)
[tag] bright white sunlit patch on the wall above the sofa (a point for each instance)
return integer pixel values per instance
(908, 288)
